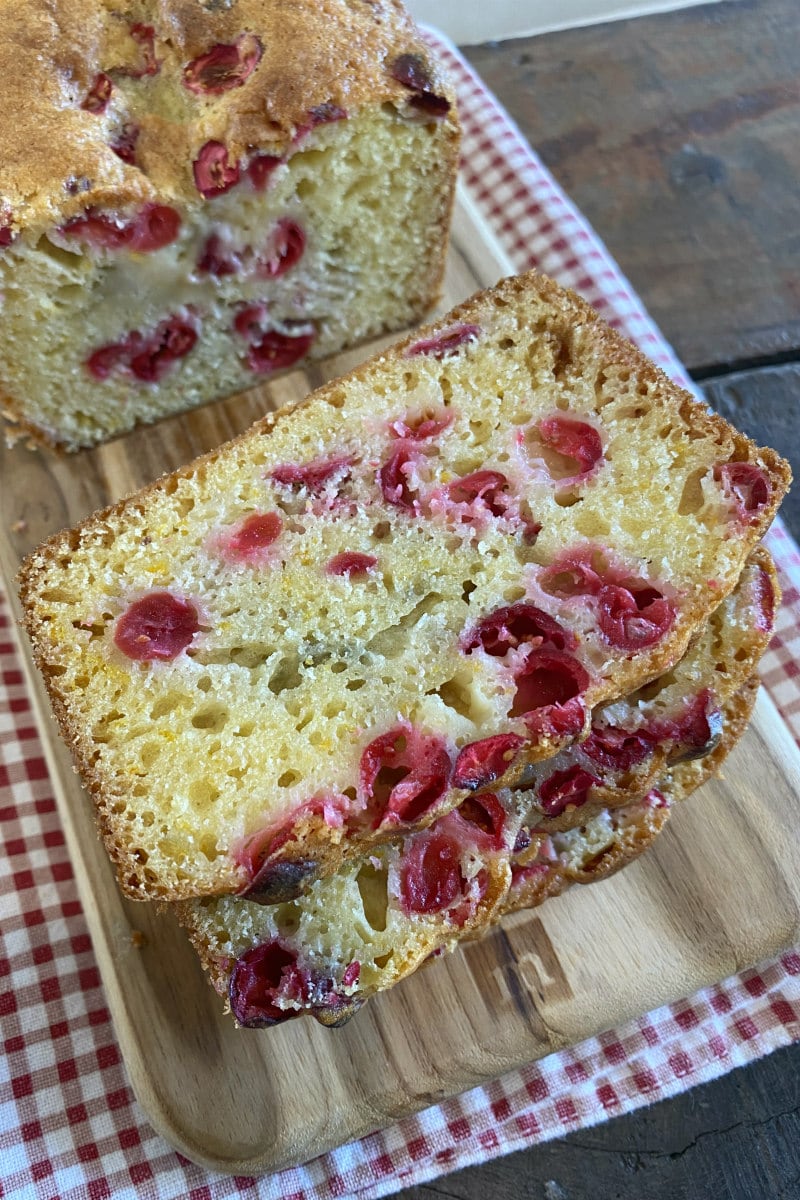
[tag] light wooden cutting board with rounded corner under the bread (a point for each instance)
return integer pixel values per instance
(720, 892)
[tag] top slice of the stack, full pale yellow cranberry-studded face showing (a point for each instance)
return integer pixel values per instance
(296, 644)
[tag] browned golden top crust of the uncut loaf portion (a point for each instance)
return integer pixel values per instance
(57, 159)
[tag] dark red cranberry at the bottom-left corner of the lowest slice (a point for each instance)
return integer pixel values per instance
(258, 977)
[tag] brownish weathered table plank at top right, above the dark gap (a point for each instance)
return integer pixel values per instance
(678, 137)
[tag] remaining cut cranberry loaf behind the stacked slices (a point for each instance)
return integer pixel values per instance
(195, 196)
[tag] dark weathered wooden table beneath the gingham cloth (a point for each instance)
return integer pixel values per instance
(679, 137)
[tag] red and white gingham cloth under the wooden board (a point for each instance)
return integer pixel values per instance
(69, 1123)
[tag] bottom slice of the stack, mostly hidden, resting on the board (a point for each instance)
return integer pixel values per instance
(375, 922)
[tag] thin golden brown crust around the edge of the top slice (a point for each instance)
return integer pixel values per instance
(566, 313)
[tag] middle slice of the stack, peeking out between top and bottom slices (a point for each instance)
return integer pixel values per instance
(676, 718)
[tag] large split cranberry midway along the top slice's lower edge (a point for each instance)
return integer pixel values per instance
(404, 775)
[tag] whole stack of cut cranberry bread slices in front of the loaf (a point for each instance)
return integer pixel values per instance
(413, 649)
